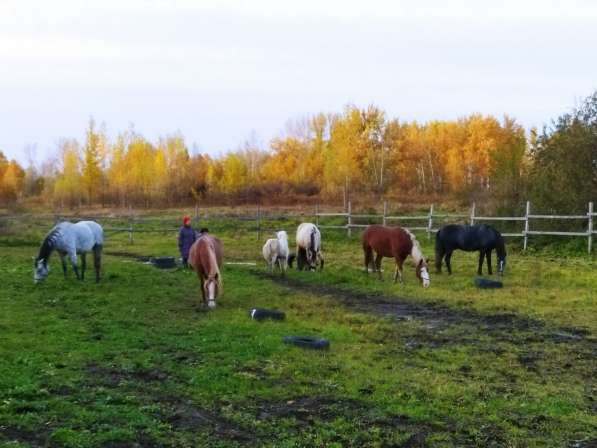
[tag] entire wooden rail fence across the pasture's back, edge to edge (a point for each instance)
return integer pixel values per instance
(133, 224)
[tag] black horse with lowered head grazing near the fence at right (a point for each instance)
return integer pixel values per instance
(479, 237)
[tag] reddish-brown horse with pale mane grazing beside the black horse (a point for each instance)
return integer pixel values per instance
(396, 243)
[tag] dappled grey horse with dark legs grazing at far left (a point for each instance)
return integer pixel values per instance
(71, 239)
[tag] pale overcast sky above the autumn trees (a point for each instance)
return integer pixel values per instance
(219, 71)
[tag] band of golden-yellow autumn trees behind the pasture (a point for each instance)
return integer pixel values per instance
(359, 152)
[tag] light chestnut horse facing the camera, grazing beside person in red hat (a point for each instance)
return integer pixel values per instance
(205, 257)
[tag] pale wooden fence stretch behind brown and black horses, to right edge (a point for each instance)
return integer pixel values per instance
(430, 219)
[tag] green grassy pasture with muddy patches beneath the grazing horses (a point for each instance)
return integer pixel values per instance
(136, 361)
